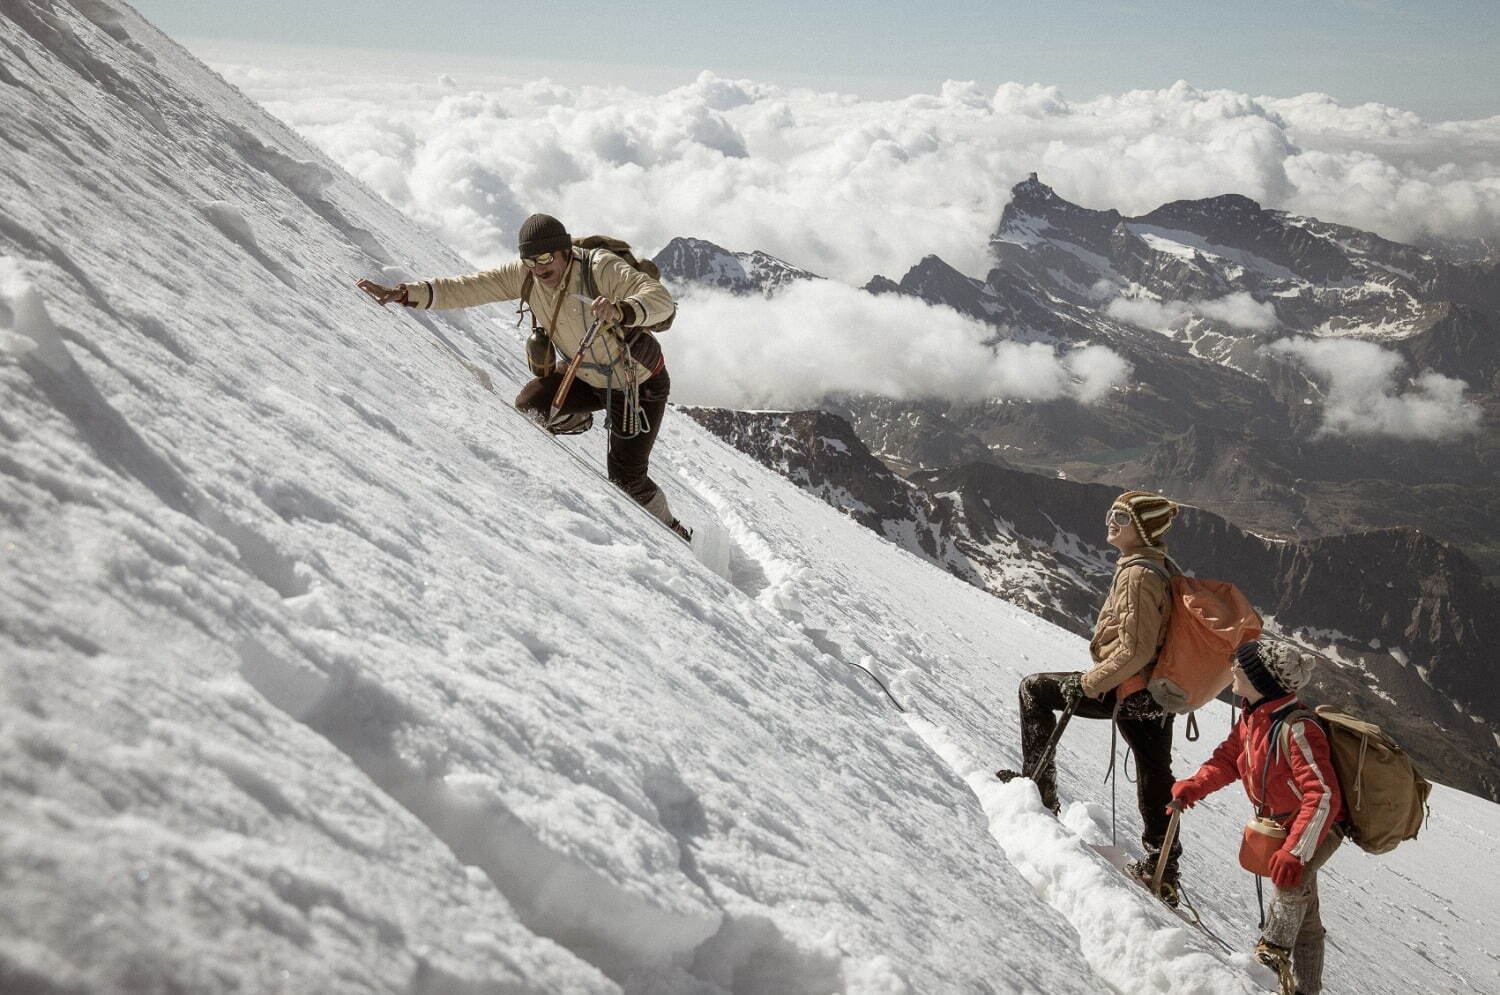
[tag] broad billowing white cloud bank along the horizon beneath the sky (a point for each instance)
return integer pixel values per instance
(850, 187)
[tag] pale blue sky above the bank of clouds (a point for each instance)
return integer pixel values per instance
(1438, 59)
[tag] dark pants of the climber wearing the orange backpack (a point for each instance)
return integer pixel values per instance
(1145, 729)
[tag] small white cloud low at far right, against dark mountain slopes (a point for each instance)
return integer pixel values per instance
(1364, 394)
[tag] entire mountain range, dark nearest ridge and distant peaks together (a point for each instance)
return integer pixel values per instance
(1369, 550)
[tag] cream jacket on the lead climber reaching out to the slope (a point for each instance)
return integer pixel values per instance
(644, 301)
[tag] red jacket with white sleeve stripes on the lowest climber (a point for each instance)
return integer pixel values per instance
(1301, 787)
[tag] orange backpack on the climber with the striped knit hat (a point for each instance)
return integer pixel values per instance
(1208, 621)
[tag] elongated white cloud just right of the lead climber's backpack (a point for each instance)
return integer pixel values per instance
(821, 338)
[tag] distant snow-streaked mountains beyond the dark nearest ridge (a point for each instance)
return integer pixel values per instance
(1210, 416)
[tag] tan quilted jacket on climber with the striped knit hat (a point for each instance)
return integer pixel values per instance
(1132, 625)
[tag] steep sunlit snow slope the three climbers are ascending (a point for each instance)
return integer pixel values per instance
(323, 670)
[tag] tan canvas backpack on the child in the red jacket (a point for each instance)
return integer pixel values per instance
(1385, 795)
